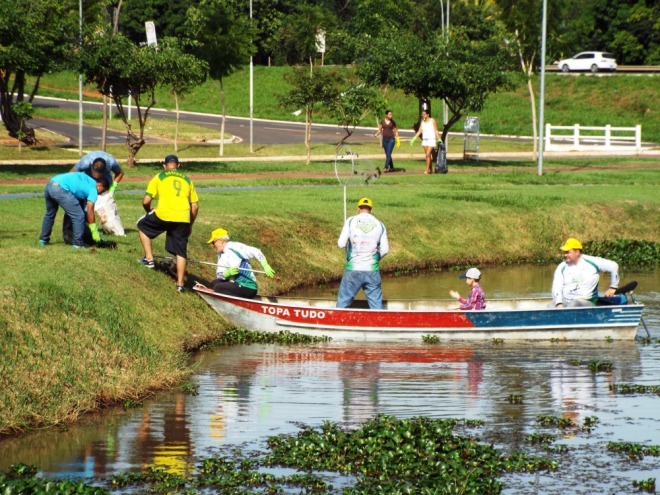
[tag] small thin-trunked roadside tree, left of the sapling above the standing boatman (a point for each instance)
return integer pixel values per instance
(308, 90)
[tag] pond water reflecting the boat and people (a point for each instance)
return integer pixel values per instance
(250, 392)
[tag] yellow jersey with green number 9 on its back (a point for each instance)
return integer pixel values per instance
(175, 193)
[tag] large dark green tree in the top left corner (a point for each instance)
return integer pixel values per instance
(36, 36)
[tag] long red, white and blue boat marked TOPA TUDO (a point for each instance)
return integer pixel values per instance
(405, 319)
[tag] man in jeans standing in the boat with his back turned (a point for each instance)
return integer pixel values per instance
(365, 240)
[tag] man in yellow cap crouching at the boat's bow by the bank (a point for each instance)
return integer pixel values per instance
(235, 275)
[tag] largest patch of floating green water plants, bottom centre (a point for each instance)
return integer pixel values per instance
(390, 455)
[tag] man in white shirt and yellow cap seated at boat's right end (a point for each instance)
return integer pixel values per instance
(576, 278)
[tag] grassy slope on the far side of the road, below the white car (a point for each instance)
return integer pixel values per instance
(621, 100)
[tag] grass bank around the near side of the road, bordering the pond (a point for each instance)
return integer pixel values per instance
(79, 330)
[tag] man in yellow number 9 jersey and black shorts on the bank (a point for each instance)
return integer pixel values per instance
(175, 214)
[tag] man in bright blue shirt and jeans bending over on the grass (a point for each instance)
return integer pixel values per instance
(73, 191)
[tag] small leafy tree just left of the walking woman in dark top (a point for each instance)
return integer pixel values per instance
(353, 105)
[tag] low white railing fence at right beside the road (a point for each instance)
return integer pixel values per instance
(576, 137)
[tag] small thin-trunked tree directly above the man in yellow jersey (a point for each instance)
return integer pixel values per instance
(181, 72)
